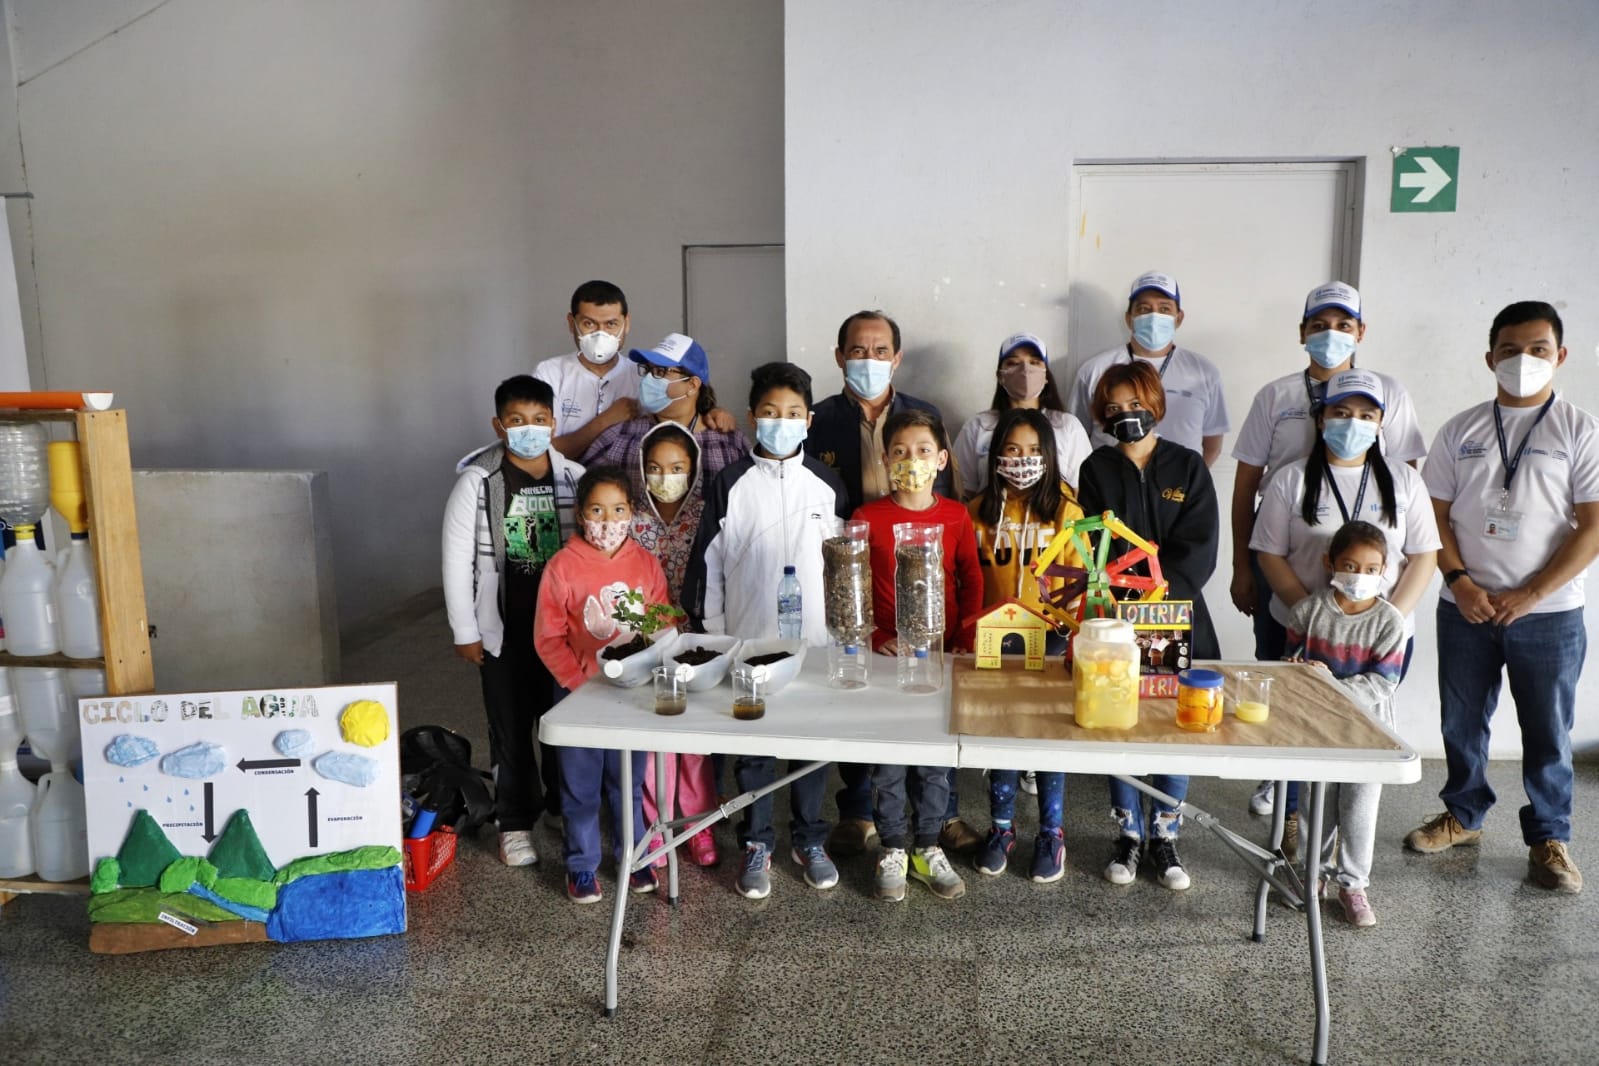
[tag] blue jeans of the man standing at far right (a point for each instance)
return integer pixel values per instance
(1544, 658)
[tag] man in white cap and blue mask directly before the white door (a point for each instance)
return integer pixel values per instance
(1195, 408)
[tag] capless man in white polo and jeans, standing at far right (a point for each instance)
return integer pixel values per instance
(1515, 483)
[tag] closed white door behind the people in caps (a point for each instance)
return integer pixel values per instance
(1246, 242)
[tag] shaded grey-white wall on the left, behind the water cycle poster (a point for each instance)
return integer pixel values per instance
(295, 234)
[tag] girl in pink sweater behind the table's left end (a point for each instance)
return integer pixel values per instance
(581, 587)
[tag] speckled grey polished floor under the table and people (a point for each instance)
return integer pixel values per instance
(1470, 963)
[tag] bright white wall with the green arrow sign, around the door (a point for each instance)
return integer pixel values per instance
(930, 149)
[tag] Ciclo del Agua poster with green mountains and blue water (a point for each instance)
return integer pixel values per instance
(225, 817)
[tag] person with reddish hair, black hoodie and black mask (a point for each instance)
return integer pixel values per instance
(1163, 493)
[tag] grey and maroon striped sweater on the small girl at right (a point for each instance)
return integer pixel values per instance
(1365, 651)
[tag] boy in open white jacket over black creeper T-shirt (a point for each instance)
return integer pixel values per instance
(511, 511)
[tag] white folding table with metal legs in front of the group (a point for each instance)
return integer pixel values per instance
(879, 725)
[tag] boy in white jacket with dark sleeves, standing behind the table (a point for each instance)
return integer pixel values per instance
(770, 511)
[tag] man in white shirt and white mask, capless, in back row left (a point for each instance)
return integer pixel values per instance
(594, 386)
